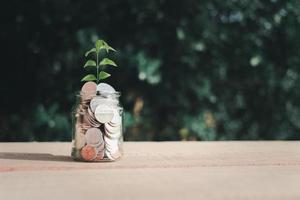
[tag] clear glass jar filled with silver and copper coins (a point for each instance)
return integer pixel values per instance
(97, 127)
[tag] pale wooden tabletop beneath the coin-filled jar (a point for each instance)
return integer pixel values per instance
(151, 170)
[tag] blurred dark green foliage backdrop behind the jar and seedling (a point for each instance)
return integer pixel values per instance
(189, 70)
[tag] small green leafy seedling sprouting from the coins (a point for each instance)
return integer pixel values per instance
(96, 63)
